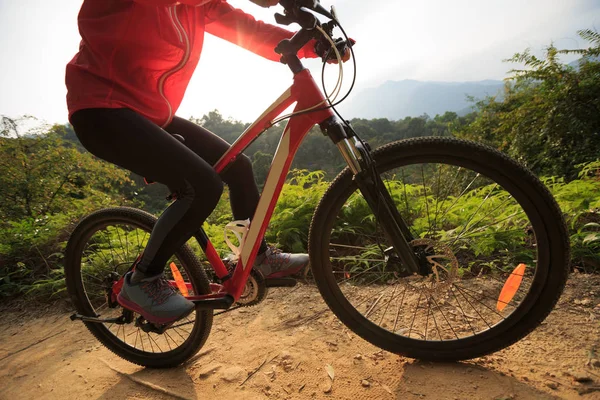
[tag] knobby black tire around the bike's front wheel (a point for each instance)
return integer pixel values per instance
(479, 154)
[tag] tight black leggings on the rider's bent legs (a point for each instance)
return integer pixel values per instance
(127, 139)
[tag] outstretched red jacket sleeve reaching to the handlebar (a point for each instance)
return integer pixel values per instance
(237, 27)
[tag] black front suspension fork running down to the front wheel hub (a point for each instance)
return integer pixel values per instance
(378, 197)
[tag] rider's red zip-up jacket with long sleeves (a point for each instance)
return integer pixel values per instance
(140, 54)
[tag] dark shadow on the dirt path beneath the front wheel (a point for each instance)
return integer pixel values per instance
(461, 380)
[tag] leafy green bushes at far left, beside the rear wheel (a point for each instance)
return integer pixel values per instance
(46, 185)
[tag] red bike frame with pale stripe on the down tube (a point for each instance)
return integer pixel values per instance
(307, 95)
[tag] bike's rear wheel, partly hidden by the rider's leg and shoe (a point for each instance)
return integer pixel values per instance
(101, 249)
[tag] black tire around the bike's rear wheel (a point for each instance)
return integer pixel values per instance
(138, 219)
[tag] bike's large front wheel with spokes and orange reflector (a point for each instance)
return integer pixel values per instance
(492, 236)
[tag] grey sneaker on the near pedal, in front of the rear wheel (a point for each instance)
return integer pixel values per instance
(154, 299)
